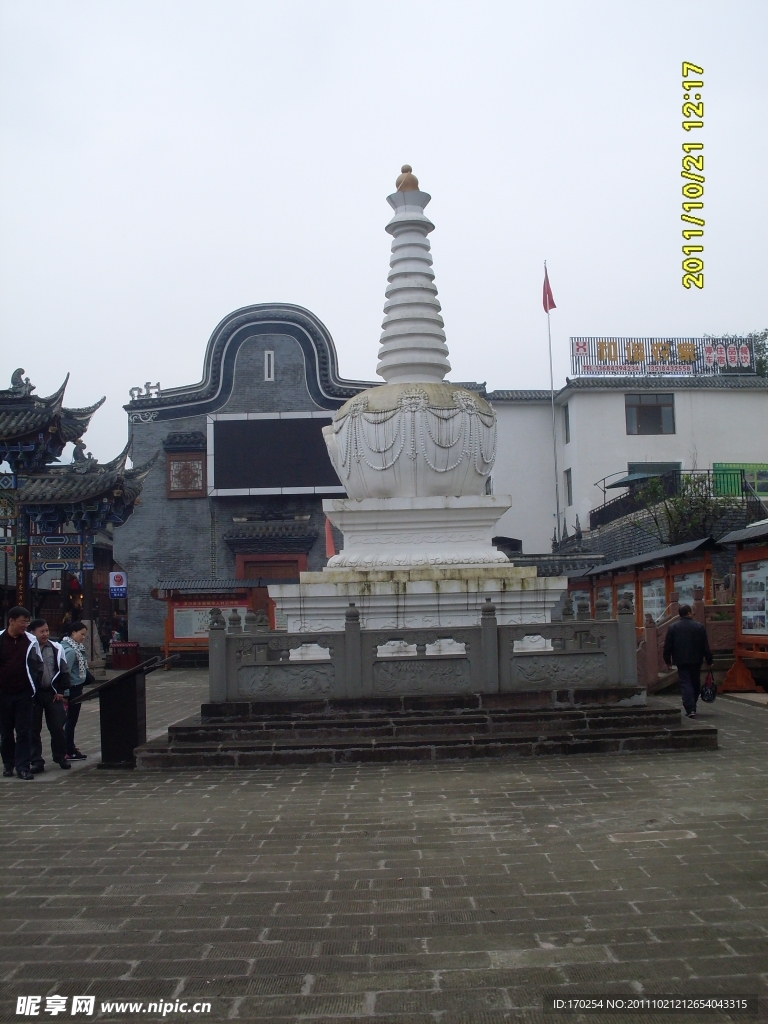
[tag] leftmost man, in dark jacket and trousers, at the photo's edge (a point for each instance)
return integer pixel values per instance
(21, 668)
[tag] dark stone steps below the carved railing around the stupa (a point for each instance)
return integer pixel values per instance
(422, 729)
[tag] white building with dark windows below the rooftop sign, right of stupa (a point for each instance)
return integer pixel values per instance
(608, 429)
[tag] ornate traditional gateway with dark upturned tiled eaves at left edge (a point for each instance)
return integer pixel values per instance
(56, 515)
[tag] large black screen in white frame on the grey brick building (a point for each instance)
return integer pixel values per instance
(272, 456)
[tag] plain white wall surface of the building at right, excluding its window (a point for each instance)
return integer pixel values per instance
(711, 425)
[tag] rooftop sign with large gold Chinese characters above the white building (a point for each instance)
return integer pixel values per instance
(673, 357)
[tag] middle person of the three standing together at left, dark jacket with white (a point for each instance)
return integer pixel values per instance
(50, 700)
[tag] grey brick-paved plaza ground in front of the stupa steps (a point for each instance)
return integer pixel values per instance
(406, 893)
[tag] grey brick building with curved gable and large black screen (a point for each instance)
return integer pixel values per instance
(237, 498)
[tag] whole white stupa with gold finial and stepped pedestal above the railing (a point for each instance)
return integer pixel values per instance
(415, 456)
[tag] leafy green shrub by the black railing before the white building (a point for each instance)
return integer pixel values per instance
(680, 509)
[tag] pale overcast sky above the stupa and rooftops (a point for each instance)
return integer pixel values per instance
(164, 163)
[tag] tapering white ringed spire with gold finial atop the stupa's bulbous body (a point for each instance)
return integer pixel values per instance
(413, 340)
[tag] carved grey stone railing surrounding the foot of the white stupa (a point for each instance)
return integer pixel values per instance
(250, 664)
